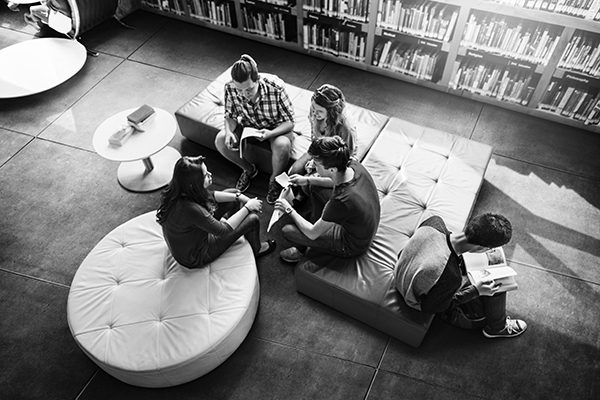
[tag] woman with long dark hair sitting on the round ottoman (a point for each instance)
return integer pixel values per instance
(200, 225)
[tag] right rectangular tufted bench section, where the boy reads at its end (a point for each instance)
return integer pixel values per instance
(418, 172)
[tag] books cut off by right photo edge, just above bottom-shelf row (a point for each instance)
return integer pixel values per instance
(582, 54)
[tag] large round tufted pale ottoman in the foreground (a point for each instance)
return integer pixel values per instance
(148, 321)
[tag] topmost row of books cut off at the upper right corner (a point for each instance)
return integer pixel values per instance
(587, 9)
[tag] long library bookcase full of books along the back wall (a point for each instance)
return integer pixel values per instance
(538, 57)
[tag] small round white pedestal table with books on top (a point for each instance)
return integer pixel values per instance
(146, 160)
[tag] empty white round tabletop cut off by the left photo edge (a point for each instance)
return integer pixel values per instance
(37, 65)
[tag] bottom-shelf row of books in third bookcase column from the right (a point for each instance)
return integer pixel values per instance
(409, 59)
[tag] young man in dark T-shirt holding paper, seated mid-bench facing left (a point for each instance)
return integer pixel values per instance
(350, 216)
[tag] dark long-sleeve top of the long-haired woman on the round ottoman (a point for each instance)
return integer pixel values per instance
(188, 231)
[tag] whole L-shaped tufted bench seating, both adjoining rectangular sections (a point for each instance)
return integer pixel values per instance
(418, 172)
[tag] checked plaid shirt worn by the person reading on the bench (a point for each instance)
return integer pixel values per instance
(271, 108)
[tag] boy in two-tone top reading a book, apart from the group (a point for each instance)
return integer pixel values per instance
(431, 274)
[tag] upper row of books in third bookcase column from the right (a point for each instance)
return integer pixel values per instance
(422, 18)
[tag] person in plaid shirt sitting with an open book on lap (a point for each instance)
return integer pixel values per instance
(259, 102)
